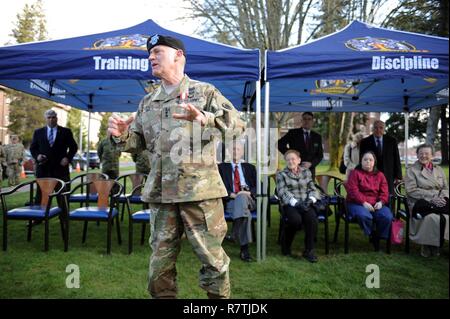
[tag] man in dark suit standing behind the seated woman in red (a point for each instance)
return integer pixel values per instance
(385, 149)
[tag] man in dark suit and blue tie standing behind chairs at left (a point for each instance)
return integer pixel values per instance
(53, 148)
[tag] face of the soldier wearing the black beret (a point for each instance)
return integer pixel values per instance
(162, 60)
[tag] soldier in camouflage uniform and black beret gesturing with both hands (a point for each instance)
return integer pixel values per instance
(183, 196)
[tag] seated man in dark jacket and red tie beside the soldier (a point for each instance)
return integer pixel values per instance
(240, 181)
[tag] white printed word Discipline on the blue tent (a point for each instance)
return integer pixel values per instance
(402, 63)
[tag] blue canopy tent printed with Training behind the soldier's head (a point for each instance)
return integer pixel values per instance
(110, 71)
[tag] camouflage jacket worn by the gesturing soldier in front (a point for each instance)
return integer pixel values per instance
(193, 175)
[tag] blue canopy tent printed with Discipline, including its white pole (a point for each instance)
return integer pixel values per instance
(360, 68)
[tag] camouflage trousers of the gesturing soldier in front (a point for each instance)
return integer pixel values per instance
(205, 228)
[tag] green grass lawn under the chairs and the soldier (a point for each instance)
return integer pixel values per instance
(28, 272)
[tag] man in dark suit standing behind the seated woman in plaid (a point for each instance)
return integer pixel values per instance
(305, 141)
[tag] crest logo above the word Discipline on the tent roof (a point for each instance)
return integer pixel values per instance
(380, 45)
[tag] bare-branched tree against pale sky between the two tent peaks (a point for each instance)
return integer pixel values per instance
(263, 24)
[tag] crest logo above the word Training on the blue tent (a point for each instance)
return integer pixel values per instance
(125, 42)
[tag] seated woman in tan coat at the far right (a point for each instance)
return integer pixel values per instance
(427, 190)
